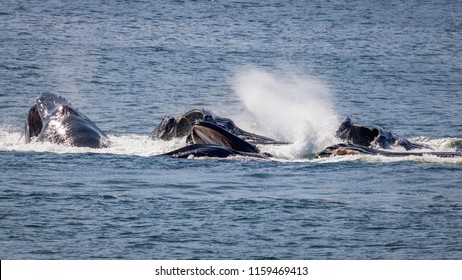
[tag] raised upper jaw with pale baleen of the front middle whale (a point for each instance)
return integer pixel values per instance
(209, 133)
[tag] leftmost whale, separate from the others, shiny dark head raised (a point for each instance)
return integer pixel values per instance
(53, 119)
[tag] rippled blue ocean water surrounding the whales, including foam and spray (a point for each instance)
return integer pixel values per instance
(292, 70)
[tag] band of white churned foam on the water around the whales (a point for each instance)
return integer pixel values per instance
(142, 145)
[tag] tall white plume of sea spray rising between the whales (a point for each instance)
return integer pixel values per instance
(289, 107)
